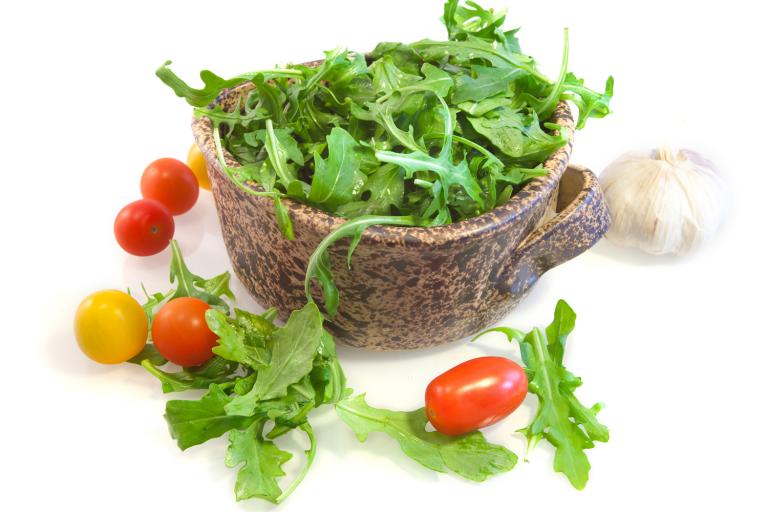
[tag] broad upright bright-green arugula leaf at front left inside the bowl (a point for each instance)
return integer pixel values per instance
(338, 179)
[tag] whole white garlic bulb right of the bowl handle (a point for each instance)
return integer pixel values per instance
(663, 201)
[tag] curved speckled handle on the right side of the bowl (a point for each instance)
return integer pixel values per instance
(582, 218)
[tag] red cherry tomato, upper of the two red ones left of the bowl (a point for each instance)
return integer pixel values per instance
(172, 183)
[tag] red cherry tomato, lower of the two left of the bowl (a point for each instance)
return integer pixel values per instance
(144, 227)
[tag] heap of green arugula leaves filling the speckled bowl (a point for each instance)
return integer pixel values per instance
(427, 133)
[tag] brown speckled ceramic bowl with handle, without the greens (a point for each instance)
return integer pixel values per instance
(412, 287)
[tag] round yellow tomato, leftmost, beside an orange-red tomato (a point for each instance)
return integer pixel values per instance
(110, 327)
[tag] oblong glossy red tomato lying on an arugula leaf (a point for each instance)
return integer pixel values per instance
(475, 394)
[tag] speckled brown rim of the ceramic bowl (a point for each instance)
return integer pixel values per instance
(481, 226)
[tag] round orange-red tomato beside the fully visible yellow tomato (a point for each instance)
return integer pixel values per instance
(180, 333)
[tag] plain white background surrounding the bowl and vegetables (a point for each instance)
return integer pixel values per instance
(675, 348)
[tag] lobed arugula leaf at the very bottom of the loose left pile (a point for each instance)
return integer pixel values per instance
(261, 461)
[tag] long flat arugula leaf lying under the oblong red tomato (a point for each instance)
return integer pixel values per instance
(469, 456)
